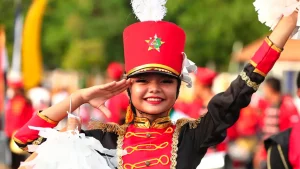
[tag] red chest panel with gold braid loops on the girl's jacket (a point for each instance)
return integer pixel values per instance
(149, 148)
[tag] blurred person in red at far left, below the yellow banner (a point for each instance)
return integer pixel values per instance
(18, 112)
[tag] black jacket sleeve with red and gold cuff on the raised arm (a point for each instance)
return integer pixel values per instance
(224, 108)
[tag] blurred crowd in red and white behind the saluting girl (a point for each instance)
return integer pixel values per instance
(269, 112)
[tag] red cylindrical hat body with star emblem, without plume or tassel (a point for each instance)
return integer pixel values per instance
(155, 46)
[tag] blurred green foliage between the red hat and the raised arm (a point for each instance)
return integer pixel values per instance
(213, 26)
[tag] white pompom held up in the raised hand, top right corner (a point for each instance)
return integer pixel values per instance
(271, 11)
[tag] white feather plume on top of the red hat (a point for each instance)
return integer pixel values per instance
(149, 10)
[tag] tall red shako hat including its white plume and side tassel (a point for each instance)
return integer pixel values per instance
(153, 45)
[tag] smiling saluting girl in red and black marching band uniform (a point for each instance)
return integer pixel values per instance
(155, 65)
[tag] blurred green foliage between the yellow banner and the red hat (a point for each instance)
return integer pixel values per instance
(86, 35)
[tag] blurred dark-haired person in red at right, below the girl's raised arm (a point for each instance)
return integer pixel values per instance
(280, 114)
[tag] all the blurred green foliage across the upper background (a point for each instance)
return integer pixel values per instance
(86, 35)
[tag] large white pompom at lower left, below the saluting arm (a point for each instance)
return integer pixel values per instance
(69, 150)
